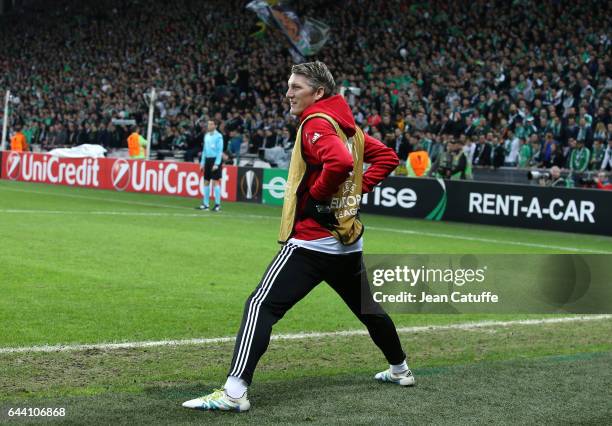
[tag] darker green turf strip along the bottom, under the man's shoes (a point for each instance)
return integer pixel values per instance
(557, 389)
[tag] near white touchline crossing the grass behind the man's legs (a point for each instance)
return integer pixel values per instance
(300, 336)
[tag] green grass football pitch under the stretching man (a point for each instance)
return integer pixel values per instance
(81, 266)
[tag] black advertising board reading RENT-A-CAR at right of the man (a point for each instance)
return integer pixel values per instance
(558, 209)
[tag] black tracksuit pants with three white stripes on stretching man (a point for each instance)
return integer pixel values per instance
(291, 275)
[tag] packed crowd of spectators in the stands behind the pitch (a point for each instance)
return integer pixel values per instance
(516, 83)
